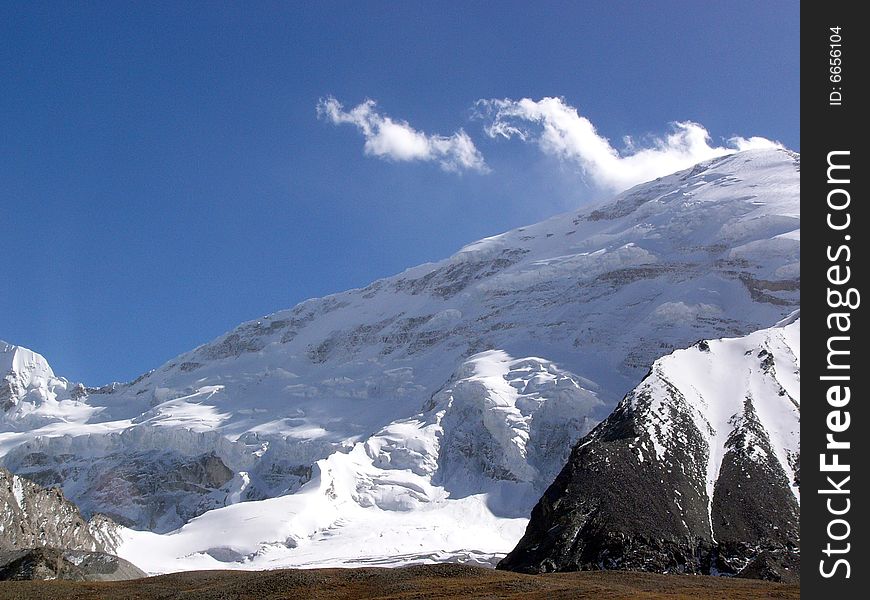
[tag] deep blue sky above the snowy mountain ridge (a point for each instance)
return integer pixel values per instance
(164, 173)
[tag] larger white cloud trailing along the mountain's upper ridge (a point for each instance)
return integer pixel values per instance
(561, 131)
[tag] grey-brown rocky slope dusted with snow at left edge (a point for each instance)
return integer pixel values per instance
(32, 516)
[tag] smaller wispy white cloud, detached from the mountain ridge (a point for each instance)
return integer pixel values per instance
(397, 140)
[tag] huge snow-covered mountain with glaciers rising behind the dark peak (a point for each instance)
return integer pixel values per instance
(406, 404)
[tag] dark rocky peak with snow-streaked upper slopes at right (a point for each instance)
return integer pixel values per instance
(696, 470)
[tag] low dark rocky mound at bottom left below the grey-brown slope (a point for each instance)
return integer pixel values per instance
(71, 565)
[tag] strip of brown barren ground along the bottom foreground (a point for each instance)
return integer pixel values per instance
(423, 582)
